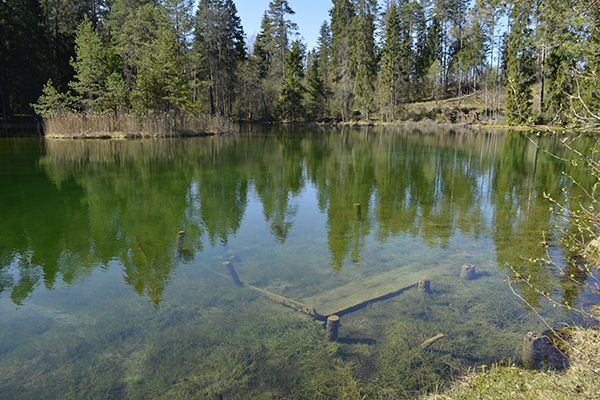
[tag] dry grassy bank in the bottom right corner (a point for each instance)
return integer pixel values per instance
(579, 381)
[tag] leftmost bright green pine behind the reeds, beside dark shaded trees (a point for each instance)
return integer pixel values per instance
(90, 66)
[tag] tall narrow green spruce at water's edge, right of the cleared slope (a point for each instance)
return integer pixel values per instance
(519, 69)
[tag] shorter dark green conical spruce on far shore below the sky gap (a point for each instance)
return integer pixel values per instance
(290, 106)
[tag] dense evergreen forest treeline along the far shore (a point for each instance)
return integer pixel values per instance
(173, 56)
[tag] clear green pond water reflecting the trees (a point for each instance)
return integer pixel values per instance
(96, 302)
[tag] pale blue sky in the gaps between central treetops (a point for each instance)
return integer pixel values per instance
(309, 16)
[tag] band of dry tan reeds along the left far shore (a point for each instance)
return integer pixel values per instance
(82, 126)
